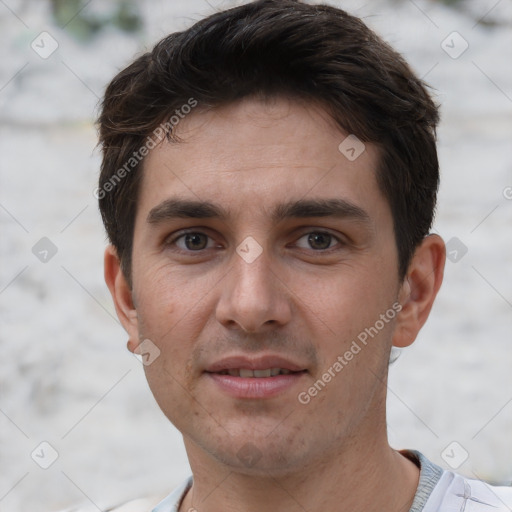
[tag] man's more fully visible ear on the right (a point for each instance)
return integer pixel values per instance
(419, 289)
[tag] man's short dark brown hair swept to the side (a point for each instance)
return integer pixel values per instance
(267, 48)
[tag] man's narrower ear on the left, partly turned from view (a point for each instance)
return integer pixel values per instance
(122, 296)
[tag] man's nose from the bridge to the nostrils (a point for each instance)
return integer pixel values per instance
(253, 298)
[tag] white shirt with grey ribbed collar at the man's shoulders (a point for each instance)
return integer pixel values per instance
(439, 490)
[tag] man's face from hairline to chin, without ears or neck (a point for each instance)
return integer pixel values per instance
(265, 277)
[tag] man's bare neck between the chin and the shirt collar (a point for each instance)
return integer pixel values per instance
(367, 476)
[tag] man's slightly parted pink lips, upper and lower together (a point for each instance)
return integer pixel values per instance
(254, 387)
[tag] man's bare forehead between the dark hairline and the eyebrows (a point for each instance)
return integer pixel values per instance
(249, 156)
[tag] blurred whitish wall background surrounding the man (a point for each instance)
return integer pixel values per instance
(78, 425)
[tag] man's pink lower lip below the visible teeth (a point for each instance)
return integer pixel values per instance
(255, 387)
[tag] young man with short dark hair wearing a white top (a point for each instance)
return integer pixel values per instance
(268, 183)
